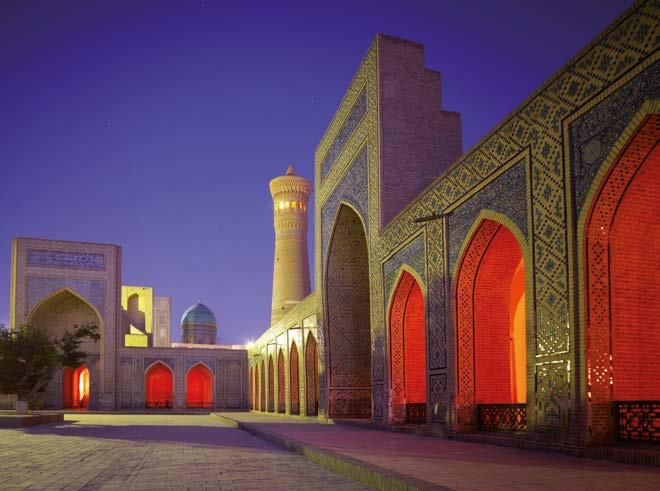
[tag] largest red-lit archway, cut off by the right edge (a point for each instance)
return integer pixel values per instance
(622, 252)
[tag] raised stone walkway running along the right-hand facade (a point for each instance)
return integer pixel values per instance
(454, 464)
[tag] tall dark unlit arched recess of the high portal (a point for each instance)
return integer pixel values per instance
(349, 333)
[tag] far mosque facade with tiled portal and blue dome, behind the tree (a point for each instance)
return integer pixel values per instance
(135, 365)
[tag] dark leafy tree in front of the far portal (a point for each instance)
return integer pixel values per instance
(30, 357)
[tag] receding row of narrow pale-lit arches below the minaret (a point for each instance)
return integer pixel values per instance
(262, 398)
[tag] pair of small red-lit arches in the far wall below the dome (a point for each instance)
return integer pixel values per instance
(159, 386)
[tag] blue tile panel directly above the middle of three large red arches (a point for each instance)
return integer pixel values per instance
(505, 194)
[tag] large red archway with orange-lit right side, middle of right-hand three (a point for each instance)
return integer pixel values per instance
(490, 329)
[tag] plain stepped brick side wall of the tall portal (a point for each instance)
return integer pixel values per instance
(418, 139)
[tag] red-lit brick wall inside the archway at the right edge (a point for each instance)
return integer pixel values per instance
(635, 287)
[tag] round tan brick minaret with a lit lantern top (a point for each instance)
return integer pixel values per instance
(291, 270)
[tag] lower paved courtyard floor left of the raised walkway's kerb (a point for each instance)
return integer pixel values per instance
(128, 451)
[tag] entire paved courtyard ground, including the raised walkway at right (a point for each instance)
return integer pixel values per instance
(209, 451)
